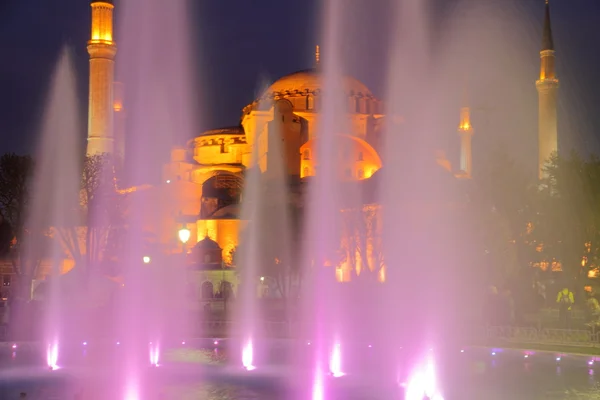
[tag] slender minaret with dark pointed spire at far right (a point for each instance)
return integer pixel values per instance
(547, 87)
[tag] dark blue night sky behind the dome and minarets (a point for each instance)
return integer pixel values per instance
(239, 44)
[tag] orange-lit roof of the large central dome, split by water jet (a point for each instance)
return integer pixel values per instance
(310, 80)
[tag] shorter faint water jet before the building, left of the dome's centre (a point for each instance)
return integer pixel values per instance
(267, 241)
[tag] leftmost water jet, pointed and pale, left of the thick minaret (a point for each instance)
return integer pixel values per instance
(55, 194)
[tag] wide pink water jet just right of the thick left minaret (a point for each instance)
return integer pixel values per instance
(155, 67)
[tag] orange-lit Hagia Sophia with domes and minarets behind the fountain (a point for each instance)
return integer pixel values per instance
(203, 182)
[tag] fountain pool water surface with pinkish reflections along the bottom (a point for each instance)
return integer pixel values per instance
(202, 370)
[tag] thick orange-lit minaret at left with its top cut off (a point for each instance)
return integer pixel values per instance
(102, 50)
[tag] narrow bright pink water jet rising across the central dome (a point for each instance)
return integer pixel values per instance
(322, 308)
